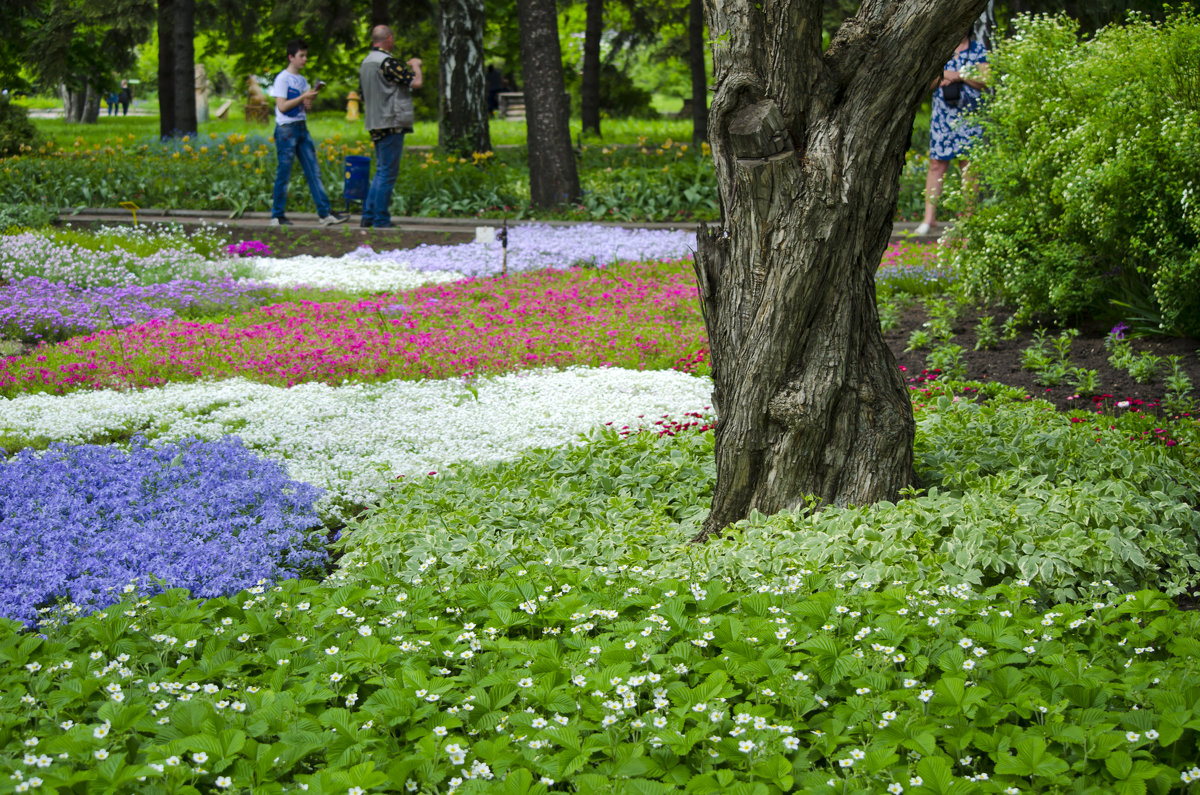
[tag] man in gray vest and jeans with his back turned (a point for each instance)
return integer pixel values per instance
(388, 112)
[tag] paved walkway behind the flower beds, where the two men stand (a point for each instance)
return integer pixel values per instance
(307, 222)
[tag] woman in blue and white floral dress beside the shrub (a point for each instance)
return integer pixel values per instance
(951, 130)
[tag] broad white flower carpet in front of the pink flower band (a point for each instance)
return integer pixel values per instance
(357, 440)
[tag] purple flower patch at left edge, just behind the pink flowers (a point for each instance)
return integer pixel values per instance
(34, 309)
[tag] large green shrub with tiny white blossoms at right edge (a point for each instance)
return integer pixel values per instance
(1091, 154)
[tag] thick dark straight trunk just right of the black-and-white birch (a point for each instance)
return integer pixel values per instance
(554, 178)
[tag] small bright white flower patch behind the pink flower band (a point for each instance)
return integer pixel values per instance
(351, 272)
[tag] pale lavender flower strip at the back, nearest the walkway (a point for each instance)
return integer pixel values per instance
(537, 247)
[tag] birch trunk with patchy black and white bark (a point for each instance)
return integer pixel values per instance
(463, 125)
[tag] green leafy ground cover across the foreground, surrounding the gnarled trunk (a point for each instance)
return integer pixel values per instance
(545, 626)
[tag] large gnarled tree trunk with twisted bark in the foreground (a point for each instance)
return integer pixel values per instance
(808, 148)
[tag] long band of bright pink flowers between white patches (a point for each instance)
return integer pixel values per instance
(637, 315)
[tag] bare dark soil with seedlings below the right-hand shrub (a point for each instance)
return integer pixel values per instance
(1003, 363)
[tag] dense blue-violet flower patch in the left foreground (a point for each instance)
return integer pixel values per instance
(79, 524)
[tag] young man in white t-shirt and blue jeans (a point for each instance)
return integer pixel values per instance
(293, 98)
